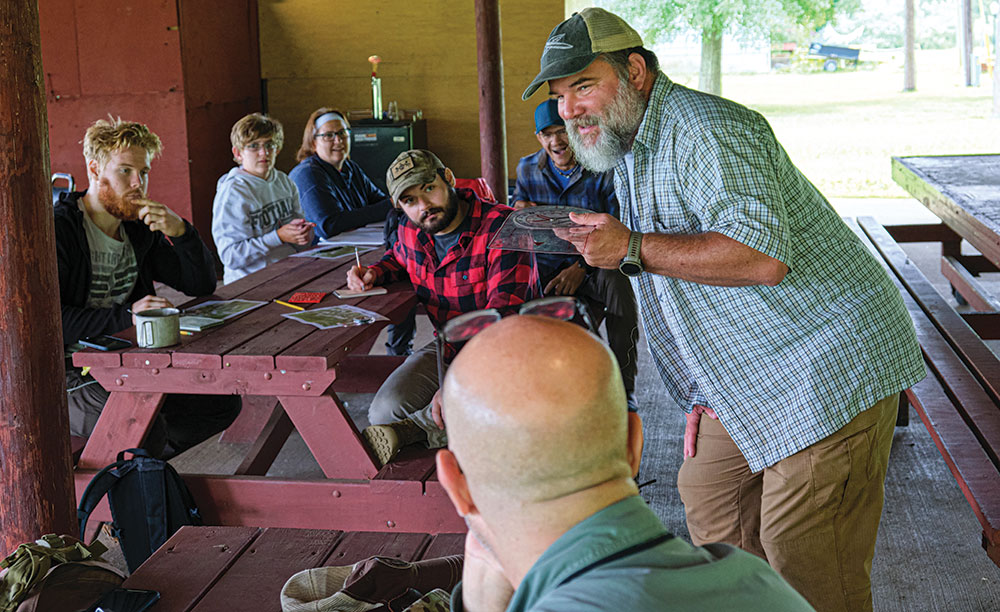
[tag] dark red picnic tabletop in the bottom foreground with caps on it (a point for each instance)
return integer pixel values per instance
(218, 569)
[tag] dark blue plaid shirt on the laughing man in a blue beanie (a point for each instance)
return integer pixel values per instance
(591, 190)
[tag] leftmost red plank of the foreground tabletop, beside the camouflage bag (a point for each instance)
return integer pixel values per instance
(201, 555)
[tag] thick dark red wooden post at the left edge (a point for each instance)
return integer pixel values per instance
(35, 471)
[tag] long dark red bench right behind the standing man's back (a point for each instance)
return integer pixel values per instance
(959, 401)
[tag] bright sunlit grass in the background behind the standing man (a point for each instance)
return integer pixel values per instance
(841, 129)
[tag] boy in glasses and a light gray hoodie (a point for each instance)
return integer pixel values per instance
(256, 216)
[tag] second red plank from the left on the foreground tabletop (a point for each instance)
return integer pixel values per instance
(258, 574)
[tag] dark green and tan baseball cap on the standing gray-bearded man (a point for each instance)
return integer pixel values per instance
(575, 43)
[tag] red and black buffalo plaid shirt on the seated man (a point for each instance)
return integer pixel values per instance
(470, 277)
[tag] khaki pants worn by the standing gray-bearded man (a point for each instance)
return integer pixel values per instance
(813, 516)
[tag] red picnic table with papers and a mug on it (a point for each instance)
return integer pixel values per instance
(262, 353)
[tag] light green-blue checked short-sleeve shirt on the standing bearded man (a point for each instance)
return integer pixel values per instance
(784, 366)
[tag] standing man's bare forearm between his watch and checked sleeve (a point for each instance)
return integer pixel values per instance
(709, 258)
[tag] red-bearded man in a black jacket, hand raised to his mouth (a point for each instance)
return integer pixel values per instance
(112, 243)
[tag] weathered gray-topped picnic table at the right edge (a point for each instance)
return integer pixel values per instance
(964, 192)
